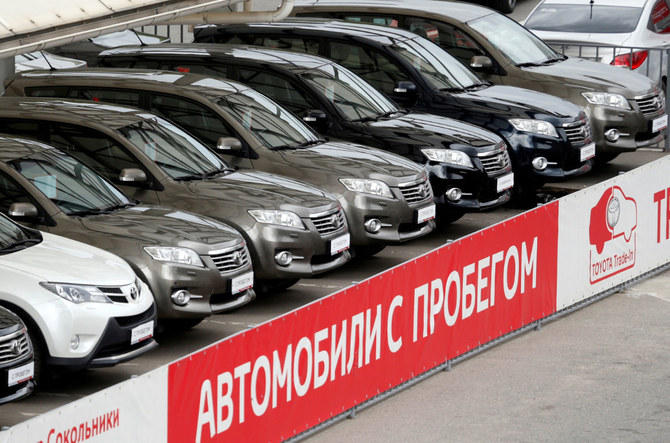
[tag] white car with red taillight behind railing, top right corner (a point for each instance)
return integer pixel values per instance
(628, 33)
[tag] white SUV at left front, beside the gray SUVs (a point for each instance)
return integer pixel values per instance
(83, 307)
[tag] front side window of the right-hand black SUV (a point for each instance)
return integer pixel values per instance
(373, 66)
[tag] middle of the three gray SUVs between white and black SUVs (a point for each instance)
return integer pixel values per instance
(292, 230)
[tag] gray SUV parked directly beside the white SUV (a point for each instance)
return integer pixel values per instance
(194, 266)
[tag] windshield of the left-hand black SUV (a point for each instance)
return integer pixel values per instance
(352, 96)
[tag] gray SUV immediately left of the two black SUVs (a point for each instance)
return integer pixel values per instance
(386, 198)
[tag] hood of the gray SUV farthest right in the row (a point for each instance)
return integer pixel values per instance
(586, 75)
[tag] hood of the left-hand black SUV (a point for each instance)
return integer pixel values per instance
(444, 131)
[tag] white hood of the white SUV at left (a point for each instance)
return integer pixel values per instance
(58, 259)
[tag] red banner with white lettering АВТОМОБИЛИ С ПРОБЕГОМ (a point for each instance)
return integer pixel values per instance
(285, 376)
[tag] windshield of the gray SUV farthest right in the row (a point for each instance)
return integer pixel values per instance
(513, 40)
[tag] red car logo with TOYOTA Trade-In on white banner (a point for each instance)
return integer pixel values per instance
(612, 234)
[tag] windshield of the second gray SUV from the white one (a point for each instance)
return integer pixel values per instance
(180, 155)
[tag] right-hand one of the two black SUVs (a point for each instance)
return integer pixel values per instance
(549, 138)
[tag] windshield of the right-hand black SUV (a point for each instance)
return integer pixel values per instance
(439, 67)
